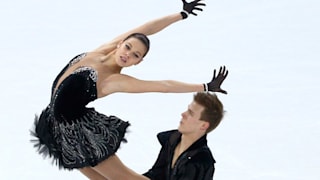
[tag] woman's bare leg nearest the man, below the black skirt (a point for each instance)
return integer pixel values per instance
(114, 169)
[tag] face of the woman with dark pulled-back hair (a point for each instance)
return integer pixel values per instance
(130, 52)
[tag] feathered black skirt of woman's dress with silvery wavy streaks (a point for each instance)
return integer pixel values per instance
(82, 142)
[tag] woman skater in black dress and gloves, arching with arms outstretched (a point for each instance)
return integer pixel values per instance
(78, 137)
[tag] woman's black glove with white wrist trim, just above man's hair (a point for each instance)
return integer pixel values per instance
(216, 82)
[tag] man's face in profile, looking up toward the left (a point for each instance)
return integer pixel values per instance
(190, 122)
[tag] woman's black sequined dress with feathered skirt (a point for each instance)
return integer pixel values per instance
(74, 135)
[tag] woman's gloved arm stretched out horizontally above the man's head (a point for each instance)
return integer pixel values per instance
(124, 83)
